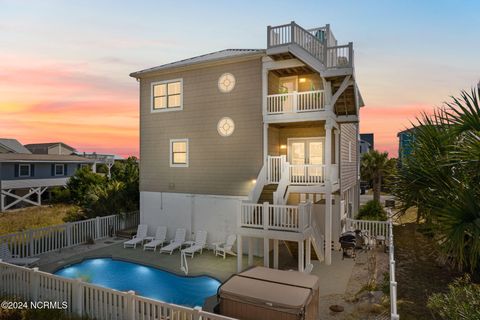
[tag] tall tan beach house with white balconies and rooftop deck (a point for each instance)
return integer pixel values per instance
(237, 141)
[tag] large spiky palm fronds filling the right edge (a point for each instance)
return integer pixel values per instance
(442, 178)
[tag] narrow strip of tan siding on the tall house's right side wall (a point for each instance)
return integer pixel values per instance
(348, 169)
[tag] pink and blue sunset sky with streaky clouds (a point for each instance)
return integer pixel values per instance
(64, 65)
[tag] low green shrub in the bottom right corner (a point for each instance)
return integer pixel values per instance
(461, 302)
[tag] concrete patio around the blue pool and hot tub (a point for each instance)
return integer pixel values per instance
(333, 279)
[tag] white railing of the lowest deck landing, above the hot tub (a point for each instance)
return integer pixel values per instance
(275, 217)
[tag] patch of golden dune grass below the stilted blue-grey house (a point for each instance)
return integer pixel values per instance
(32, 217)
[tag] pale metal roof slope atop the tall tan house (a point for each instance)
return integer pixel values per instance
(218, 55)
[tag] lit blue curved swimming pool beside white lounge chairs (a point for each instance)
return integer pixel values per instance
(145, 281)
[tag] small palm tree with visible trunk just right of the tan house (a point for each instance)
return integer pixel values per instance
(374, 167)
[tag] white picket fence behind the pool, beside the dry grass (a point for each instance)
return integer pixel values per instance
(53, 238)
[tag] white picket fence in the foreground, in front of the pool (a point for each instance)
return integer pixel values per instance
(86, 299)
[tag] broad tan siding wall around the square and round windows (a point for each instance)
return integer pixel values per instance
(217, 165)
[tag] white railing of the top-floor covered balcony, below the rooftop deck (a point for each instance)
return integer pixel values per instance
(296, 102)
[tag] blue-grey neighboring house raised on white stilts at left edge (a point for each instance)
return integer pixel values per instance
(25, 177)
